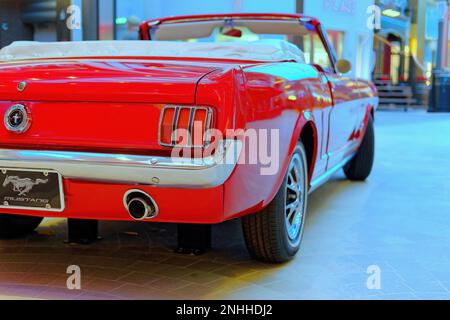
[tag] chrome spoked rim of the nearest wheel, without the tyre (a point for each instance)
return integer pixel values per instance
(295, 197)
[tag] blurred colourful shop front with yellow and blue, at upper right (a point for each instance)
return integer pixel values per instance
(407, 43)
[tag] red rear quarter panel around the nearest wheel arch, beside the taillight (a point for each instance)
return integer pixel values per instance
(281, 97)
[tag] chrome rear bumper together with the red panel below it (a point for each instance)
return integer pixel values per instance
(95, 184)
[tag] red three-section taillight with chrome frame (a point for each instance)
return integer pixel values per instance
(181, 123)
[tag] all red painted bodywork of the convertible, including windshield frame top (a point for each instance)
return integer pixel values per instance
(114, 105)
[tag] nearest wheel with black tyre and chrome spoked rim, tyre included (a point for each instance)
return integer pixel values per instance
(275, 234)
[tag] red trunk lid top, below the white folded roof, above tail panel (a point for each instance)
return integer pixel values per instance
(118, 80)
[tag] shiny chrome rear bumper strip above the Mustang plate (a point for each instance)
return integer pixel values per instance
(130, 169)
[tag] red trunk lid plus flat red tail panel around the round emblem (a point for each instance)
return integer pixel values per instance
(95, 105)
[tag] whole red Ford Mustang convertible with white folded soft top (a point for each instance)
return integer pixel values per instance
(205, 119)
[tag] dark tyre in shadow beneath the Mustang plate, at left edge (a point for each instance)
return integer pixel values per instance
(12, 226)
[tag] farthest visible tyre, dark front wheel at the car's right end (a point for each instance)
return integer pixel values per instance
(360, 167)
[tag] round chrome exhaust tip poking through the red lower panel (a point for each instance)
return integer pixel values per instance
(140, 205)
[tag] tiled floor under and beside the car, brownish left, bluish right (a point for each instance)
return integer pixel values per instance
(399, 221)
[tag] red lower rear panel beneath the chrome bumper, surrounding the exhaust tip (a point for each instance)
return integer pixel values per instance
(103, 201)
